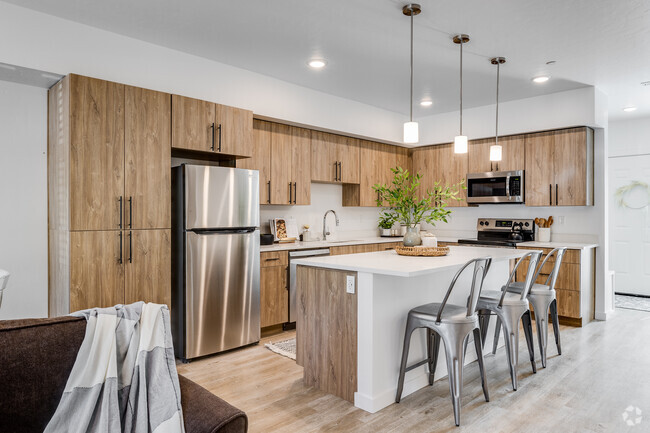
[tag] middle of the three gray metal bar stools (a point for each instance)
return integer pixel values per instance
(510, 308)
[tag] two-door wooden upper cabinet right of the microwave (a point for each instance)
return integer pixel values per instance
(559, 168)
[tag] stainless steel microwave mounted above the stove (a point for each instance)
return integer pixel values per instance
(495, 187)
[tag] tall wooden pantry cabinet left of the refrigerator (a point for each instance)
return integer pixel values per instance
(109, 164)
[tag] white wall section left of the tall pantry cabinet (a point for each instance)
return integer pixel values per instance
(23, 199)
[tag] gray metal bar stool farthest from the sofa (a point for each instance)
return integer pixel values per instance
(543, 298)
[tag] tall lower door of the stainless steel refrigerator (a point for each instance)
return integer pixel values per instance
(222, 291)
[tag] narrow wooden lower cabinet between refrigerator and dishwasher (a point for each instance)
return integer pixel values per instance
(274, 289)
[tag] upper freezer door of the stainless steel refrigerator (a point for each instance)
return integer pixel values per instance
(221, 197)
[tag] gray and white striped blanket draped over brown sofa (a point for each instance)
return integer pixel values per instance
(124, 378)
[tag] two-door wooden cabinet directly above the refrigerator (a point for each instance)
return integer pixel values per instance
(209, 127)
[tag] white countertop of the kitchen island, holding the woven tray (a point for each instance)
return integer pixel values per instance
(390, 263)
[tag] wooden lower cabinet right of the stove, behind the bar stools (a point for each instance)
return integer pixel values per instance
(574, 287)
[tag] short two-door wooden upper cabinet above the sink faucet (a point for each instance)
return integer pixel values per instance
(334, 158)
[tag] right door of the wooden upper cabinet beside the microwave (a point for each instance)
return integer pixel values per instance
(570, 161)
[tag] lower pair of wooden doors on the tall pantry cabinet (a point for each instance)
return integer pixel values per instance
(114, 267)
